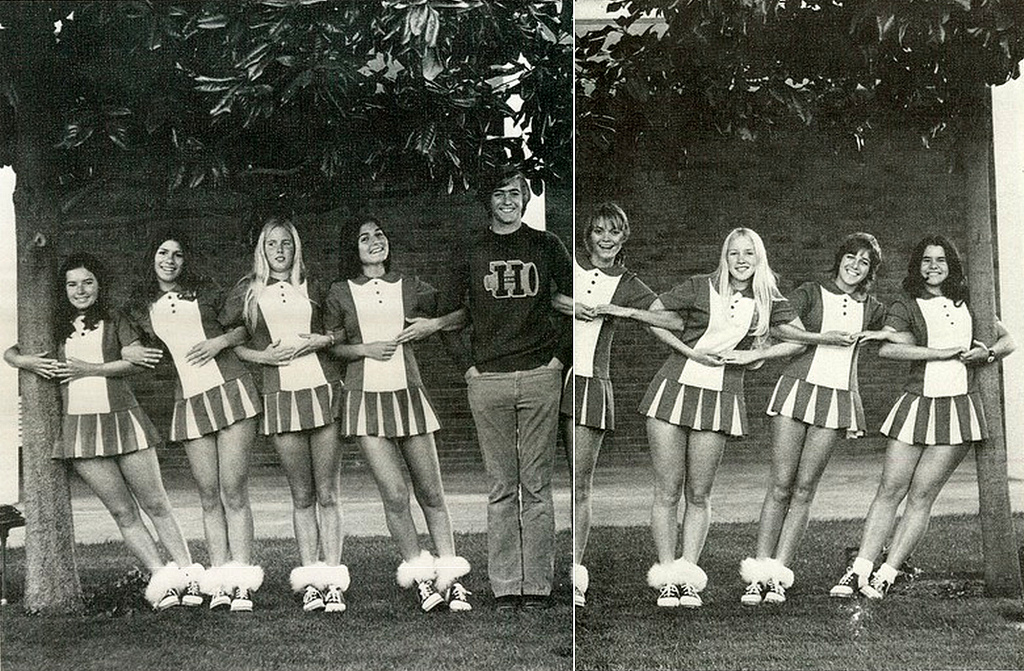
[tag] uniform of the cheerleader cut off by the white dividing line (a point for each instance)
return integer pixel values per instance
(594, 405)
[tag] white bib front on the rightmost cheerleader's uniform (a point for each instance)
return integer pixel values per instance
(949, 326)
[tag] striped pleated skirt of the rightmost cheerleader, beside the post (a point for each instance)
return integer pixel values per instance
(941, 421)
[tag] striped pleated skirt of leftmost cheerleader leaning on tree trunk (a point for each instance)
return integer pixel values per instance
(106, 435)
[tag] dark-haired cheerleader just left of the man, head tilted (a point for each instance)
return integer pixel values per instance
(386, 406)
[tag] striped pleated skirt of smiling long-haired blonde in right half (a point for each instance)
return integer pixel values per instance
(696, 408)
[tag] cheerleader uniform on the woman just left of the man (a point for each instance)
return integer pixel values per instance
(385, 399)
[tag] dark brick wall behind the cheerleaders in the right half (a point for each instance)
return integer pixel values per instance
(802, 196)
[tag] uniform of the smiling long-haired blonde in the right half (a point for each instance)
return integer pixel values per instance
(708, 398)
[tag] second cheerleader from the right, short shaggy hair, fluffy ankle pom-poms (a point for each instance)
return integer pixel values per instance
(816, 401)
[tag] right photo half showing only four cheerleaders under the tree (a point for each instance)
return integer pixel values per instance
(797, 297)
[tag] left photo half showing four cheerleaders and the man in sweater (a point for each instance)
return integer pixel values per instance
(287, 334)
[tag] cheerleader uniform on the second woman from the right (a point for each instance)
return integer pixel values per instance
(820, 387)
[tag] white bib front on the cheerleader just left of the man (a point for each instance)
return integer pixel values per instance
(381, 313)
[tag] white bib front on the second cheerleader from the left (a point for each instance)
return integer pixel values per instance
(180, 325)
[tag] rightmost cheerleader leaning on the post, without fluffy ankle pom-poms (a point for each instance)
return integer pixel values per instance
(935, 421)
